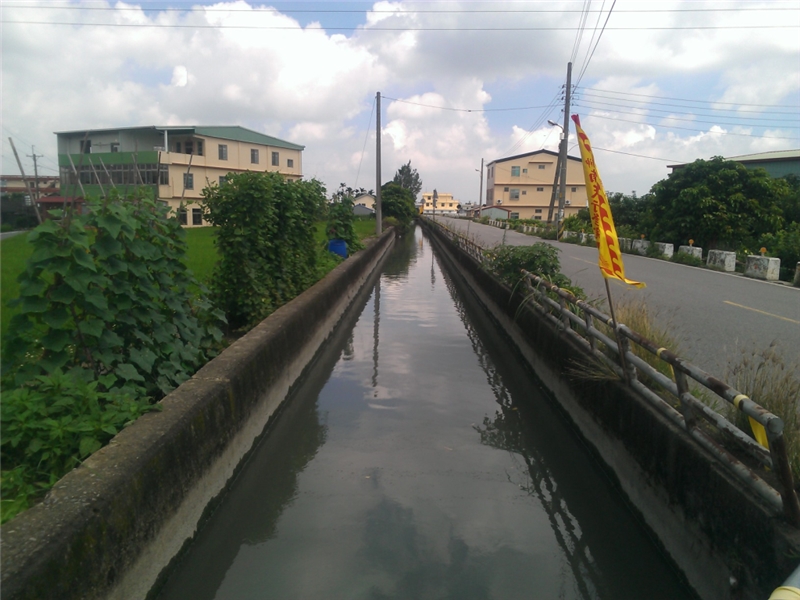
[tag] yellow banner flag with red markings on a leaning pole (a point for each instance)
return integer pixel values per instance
(605, 234)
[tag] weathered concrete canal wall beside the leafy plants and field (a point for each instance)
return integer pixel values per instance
(110, 527)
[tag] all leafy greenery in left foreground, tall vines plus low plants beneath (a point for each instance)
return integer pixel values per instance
(108, 322)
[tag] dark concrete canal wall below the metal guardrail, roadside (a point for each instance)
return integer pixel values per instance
(725, 540)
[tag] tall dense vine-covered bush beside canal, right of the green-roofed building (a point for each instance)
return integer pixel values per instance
(265, 240)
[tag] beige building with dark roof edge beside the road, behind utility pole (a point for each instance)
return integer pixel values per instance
(524, 184)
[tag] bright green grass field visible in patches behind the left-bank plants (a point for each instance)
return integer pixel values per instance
(201, 256)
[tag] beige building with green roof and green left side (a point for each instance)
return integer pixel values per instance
(175, 162)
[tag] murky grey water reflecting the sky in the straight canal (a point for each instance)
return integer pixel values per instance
(420, 459)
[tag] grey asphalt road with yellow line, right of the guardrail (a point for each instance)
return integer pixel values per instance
(715, 316)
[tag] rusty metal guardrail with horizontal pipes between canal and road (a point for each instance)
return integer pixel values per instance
(669, 395)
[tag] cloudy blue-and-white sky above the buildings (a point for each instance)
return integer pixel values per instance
(655, 83)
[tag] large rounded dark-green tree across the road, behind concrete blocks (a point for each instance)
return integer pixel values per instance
(718, 203)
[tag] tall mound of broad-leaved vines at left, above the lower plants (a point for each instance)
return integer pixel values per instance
(107, 292)
